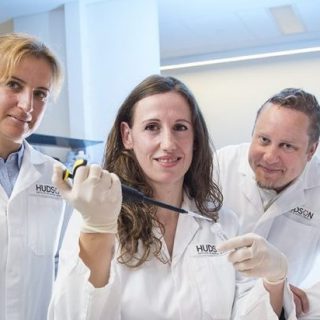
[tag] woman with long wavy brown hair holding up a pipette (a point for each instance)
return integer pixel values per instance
(161, 265)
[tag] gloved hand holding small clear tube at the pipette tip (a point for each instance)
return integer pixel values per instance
(254, 256)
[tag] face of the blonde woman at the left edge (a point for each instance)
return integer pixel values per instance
(23, 98)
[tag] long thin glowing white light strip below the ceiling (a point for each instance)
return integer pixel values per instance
(240, 58)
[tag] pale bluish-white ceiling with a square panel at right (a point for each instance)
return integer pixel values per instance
(192, 30)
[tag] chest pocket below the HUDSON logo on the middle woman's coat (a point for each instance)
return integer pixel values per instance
(215, 277)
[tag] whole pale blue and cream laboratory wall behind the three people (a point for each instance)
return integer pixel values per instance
(102, 64)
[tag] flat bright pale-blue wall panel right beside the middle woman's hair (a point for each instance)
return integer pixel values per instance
(122, 49)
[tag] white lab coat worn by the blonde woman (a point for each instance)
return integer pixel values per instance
(30, 227)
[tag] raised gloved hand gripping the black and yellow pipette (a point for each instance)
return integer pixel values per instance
(95, 193)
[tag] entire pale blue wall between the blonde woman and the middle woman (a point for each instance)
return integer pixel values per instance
(106, 48)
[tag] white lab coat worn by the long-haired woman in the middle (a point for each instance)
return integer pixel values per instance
(198, 283)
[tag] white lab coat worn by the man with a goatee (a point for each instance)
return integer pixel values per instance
(291, 223)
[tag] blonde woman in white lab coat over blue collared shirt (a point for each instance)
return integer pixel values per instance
(31, 214)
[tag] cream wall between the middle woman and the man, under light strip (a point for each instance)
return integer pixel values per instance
(230, 94)
